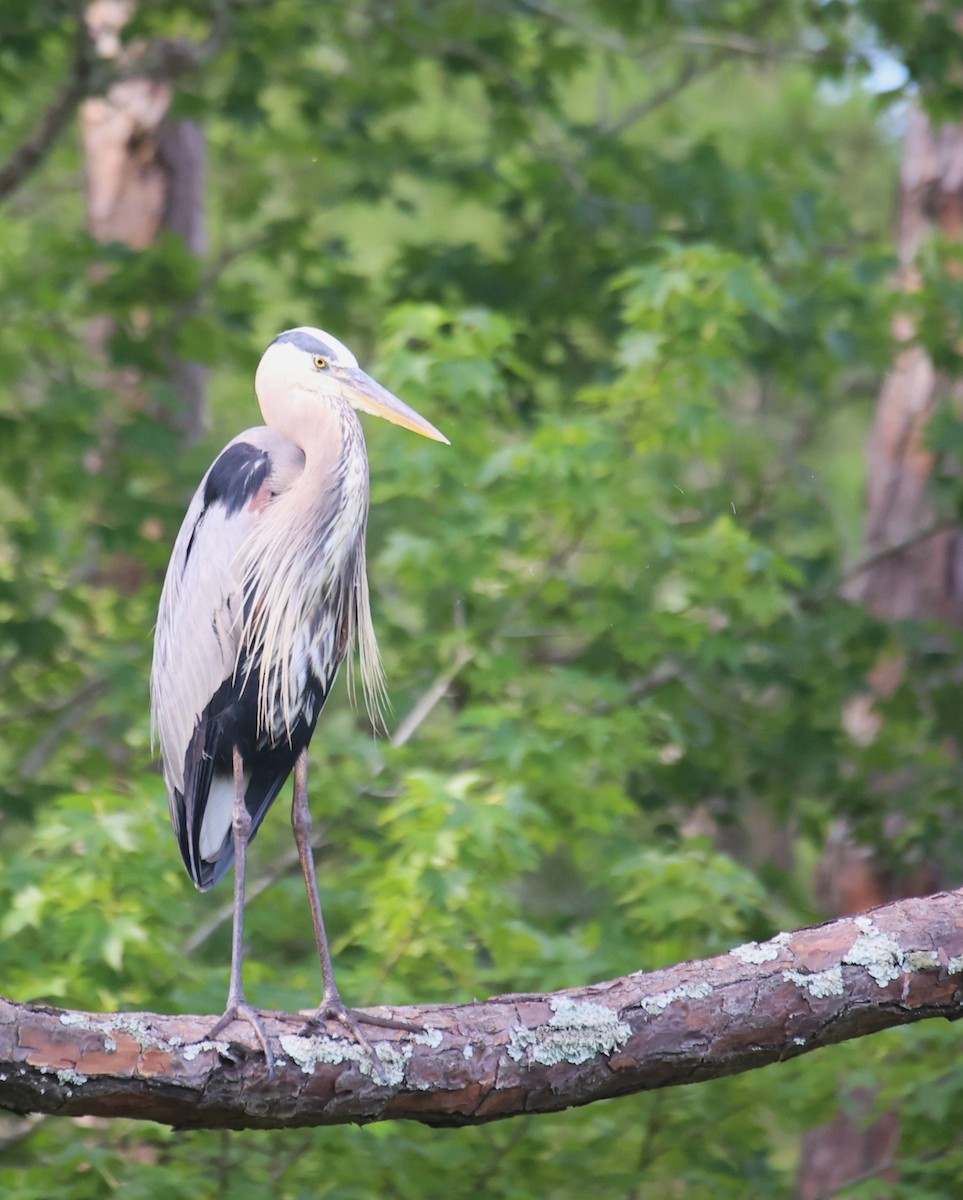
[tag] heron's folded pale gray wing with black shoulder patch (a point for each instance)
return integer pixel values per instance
(202, 605)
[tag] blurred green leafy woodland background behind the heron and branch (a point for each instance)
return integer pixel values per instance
(638, 262)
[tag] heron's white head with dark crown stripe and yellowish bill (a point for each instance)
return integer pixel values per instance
(307, 368)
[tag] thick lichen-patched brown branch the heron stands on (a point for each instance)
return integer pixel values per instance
(510, 1055)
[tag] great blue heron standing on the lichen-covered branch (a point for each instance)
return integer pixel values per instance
(265, 597)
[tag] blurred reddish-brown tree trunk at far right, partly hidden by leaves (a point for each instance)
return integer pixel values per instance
(913, 572)
